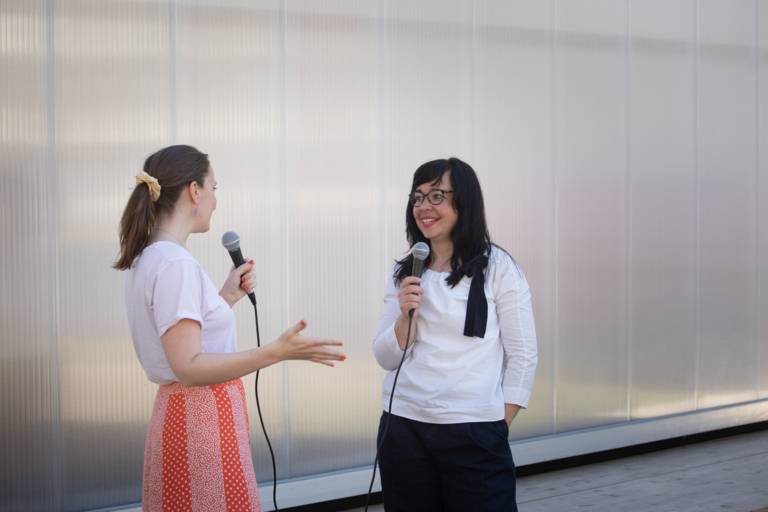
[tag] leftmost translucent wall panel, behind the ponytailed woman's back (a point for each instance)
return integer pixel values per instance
(29, 415)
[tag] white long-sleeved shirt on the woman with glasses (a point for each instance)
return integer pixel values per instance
(451, 378)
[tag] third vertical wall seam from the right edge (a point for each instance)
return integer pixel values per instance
(628, 218)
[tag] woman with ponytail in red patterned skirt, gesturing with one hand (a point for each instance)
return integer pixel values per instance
(197, 454)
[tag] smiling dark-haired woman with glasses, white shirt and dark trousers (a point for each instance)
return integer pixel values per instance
(469, 361)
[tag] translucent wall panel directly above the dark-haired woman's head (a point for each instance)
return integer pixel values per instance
(426, 96)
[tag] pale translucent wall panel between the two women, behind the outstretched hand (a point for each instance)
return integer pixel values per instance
(334, 227)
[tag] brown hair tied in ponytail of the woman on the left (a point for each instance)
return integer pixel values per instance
(175, 167)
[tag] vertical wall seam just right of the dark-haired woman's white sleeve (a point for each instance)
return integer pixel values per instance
(555, 208)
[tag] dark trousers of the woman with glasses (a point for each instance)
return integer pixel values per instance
(428, 467)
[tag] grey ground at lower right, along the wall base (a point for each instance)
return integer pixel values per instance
(728, 474)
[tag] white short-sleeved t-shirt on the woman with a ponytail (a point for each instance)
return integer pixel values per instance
(164, 285)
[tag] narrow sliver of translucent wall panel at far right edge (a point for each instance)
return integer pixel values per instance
(762, 200)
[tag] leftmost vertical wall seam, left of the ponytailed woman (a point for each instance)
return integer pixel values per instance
(57, 436)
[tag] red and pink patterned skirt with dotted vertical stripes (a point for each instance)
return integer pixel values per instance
(198, 454)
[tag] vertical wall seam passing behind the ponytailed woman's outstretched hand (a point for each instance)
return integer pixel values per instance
(283, 169)
